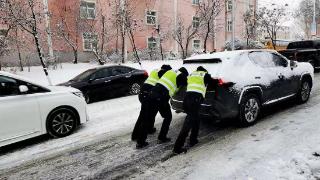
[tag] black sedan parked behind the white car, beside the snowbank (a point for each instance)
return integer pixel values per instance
(108, 81)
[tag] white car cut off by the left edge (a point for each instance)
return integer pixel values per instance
(28, 109)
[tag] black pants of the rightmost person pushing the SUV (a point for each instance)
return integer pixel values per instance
(191, 105)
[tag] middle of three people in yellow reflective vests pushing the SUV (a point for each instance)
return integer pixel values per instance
(160, 95)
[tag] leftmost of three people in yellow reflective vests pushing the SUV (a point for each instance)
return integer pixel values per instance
(149, 83)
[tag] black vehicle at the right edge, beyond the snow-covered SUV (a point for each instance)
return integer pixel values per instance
(304, 51)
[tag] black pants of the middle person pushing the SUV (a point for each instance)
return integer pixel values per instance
(157, 102)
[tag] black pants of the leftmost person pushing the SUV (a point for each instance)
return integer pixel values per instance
(143, 98)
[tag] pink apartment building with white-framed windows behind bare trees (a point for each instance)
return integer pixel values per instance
(83, 25)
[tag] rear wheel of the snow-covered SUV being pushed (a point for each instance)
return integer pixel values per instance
(250, 108)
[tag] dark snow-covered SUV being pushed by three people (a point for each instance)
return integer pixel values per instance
(248, 80)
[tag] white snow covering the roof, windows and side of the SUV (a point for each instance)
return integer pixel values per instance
(237, 67)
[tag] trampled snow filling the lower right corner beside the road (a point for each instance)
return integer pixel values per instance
(281, 146)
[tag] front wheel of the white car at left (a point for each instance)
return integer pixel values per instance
(61, 122)
